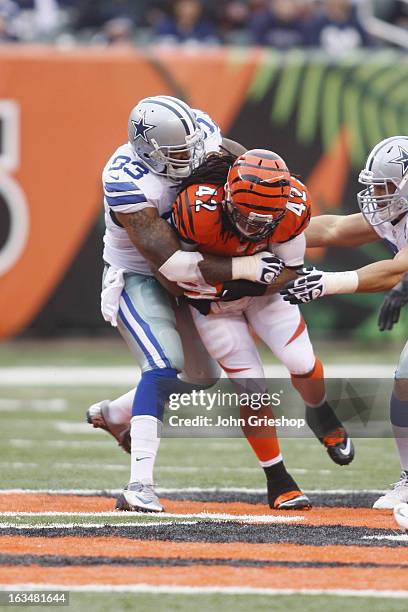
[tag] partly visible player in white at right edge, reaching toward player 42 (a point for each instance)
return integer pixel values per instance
(384, 206)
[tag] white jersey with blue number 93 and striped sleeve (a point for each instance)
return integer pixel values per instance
(129, 186)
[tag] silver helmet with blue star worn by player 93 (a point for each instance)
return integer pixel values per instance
(164, 133)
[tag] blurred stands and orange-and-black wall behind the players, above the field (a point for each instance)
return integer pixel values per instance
(320, 82)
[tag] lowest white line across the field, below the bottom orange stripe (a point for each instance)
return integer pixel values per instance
(184, 590)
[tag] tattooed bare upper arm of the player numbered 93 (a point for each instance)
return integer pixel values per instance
(151, 235)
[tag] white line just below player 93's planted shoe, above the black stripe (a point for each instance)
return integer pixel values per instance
(248, 518)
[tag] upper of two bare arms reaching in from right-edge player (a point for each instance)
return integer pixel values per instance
(339, 230)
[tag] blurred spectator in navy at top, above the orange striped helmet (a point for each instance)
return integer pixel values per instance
(277, 24)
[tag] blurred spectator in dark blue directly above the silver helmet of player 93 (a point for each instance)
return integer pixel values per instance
(187, 23)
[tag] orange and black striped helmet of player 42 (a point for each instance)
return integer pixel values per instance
(256, 193)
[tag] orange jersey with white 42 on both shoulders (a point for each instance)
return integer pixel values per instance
(198, 218)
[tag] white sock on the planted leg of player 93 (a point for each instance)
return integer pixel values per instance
(145, 432)
